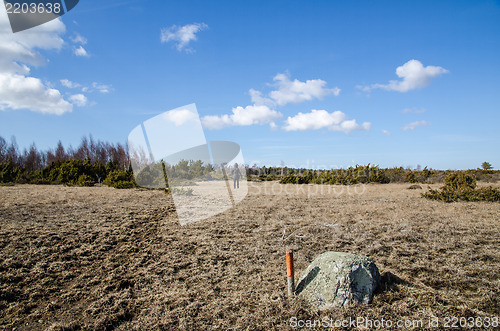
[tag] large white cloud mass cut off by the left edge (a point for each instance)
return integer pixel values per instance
(19, 51)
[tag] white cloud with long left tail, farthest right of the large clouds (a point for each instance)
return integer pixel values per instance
(413, 76)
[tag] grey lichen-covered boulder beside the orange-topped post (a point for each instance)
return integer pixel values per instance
(336, 279)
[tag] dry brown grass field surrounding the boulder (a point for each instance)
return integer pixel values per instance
(100, 258)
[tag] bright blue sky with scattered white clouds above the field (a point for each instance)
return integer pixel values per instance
(310, 83)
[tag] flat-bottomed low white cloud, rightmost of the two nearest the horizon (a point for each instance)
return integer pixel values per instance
(319, 119)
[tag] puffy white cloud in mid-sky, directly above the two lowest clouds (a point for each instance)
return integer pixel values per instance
(296, 91)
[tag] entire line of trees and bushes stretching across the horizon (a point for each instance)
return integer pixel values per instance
(94, 161)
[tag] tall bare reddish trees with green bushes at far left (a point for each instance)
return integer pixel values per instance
(93, 161)
